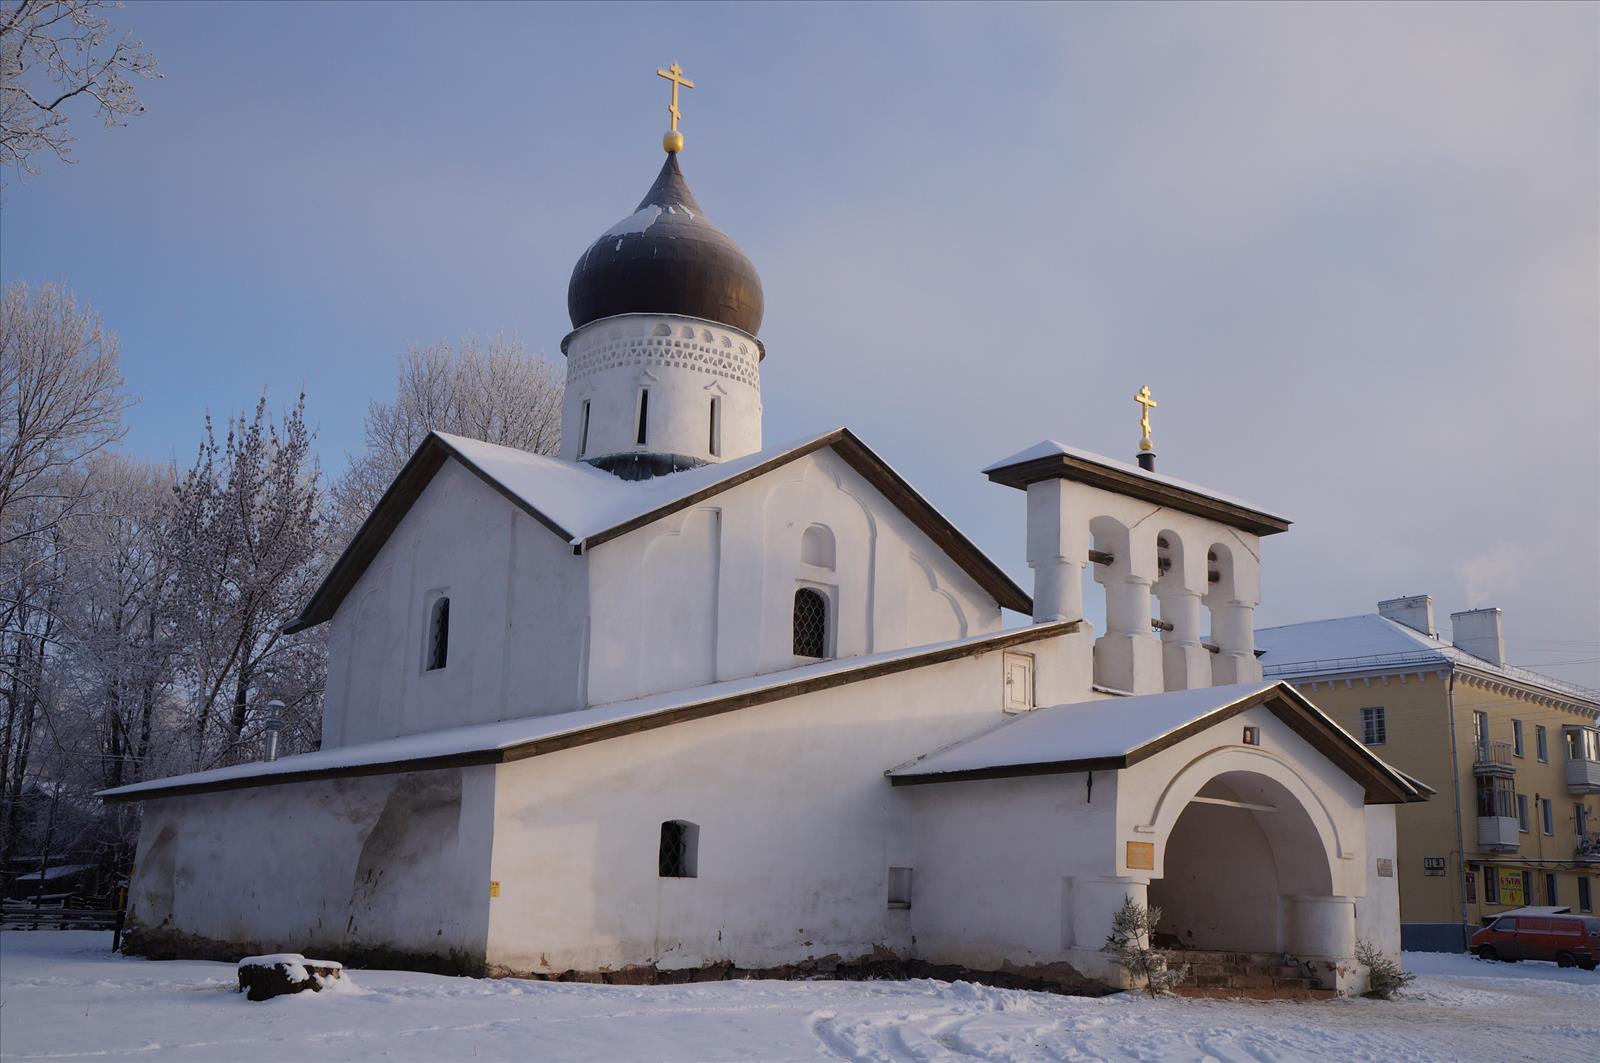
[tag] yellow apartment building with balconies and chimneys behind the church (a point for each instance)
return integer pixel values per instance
(1514, 756)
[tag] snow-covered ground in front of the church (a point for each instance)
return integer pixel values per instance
(65, 997)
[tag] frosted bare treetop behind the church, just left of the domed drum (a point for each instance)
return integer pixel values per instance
(484, 390)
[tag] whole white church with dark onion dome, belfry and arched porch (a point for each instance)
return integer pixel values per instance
(681, 705)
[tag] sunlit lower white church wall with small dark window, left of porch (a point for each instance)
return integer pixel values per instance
(798, 830)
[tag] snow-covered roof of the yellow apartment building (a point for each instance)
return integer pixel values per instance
(1377, 644)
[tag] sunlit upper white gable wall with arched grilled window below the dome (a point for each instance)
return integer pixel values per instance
(710, 593)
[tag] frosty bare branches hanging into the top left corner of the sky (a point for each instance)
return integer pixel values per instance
(55, 54)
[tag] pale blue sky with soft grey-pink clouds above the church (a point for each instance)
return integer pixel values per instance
(1354, 251)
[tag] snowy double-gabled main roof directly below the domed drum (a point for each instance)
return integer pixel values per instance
(586, 507)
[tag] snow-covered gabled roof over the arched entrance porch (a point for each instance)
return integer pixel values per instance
(1119, 732)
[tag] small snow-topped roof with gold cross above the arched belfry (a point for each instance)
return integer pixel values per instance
(1052, 460)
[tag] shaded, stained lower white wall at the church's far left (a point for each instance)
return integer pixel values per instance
(394, 862)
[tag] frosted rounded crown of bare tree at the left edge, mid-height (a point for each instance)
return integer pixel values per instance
(60, 401)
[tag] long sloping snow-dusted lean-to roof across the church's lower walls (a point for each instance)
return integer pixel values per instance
(492, 744)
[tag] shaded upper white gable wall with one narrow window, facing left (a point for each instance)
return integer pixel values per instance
(518, 608)
